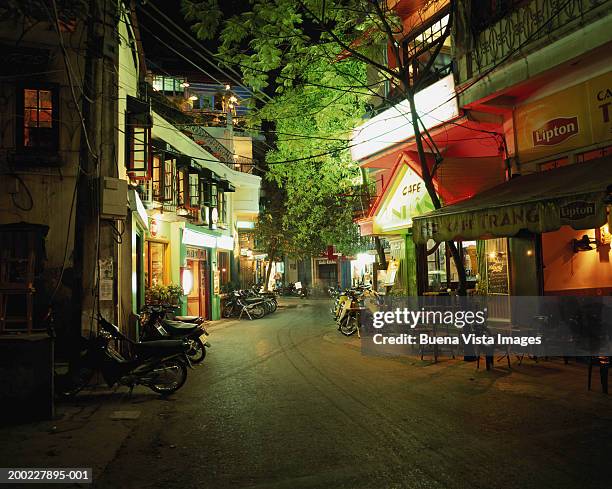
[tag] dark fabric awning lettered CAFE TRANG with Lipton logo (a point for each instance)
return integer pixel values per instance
(540, 202)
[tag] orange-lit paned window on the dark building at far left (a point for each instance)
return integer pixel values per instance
(38, 118)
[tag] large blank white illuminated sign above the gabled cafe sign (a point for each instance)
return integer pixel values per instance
(435, 104)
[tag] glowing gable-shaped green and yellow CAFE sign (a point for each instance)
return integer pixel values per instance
(406, 198)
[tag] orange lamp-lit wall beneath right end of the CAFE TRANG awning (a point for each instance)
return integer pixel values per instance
(566, 270)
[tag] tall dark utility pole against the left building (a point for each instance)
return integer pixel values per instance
(94, 238)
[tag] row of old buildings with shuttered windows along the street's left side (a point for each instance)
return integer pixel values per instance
(129, 201)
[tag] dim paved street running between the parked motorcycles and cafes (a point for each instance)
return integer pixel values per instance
(286, 402)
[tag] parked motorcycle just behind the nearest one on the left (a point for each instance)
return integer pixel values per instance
(155, 326)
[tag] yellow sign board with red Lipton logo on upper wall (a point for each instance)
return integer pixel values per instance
(578, 116)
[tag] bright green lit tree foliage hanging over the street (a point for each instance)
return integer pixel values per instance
(320, 95)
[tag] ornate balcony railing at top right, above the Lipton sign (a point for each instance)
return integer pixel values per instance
(509, 27)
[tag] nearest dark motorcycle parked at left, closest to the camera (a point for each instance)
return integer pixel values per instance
(158, 365)
